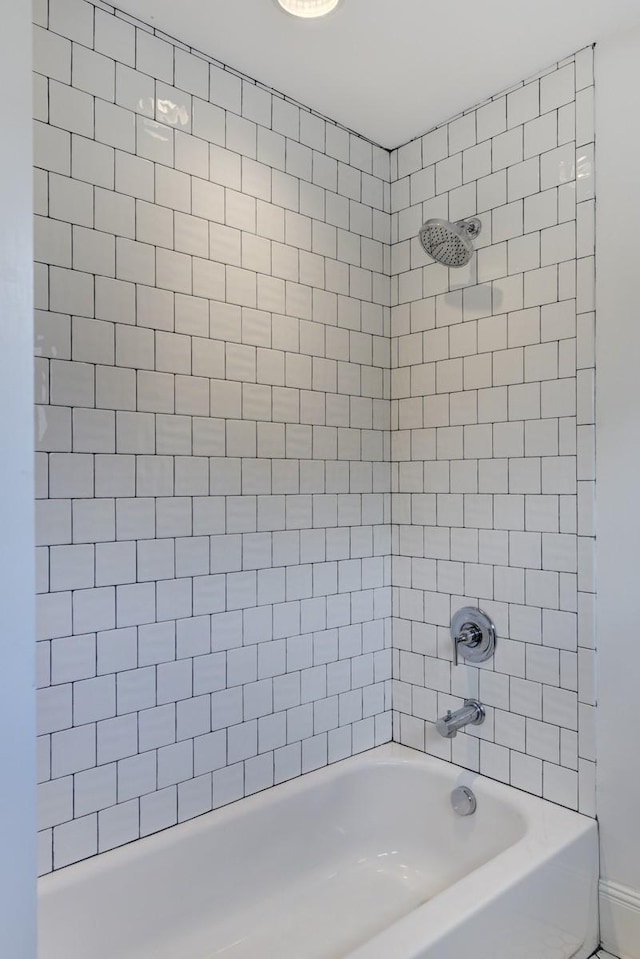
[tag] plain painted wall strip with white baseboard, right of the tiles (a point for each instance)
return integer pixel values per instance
(618, 431)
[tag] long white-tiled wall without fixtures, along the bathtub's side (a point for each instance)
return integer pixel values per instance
(212, 341)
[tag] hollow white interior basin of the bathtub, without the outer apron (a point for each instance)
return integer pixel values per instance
(314, 868)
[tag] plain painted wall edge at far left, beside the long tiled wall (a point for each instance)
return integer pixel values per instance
(17, 695)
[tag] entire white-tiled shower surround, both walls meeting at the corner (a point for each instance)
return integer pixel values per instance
(218, 440)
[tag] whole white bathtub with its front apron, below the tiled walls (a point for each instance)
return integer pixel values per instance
(364, 859)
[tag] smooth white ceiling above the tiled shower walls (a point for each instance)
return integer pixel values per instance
(389, 69)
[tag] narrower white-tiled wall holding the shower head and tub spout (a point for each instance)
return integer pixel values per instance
(493, 435)
